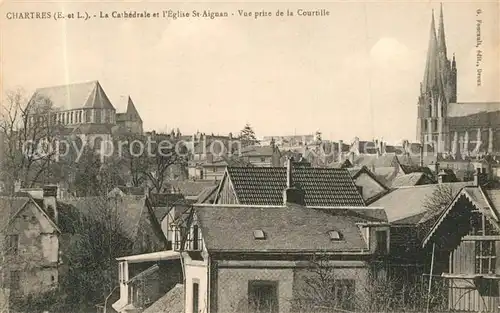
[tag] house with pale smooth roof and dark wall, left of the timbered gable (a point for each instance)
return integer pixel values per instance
(411, 210)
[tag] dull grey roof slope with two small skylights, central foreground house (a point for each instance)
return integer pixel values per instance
(287, 229)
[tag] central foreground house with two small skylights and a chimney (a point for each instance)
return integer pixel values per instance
(251, 258)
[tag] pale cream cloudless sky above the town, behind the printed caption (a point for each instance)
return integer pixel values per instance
(353, 73)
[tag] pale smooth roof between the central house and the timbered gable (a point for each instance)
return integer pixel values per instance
(405, 202)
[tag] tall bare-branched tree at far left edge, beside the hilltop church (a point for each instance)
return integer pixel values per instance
(28, 132)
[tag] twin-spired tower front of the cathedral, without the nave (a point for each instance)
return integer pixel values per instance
(437, 90)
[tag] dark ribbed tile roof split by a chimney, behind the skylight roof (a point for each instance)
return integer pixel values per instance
(322, 186)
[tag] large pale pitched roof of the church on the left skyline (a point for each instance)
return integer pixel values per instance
(76, 96)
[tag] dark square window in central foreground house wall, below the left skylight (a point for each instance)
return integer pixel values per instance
(263, 296)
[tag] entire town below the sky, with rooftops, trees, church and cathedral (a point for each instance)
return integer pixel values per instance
(99, 215)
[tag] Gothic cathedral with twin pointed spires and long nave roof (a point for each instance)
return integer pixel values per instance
(458, 129)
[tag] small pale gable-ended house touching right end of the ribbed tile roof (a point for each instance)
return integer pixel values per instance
(368, 184)
